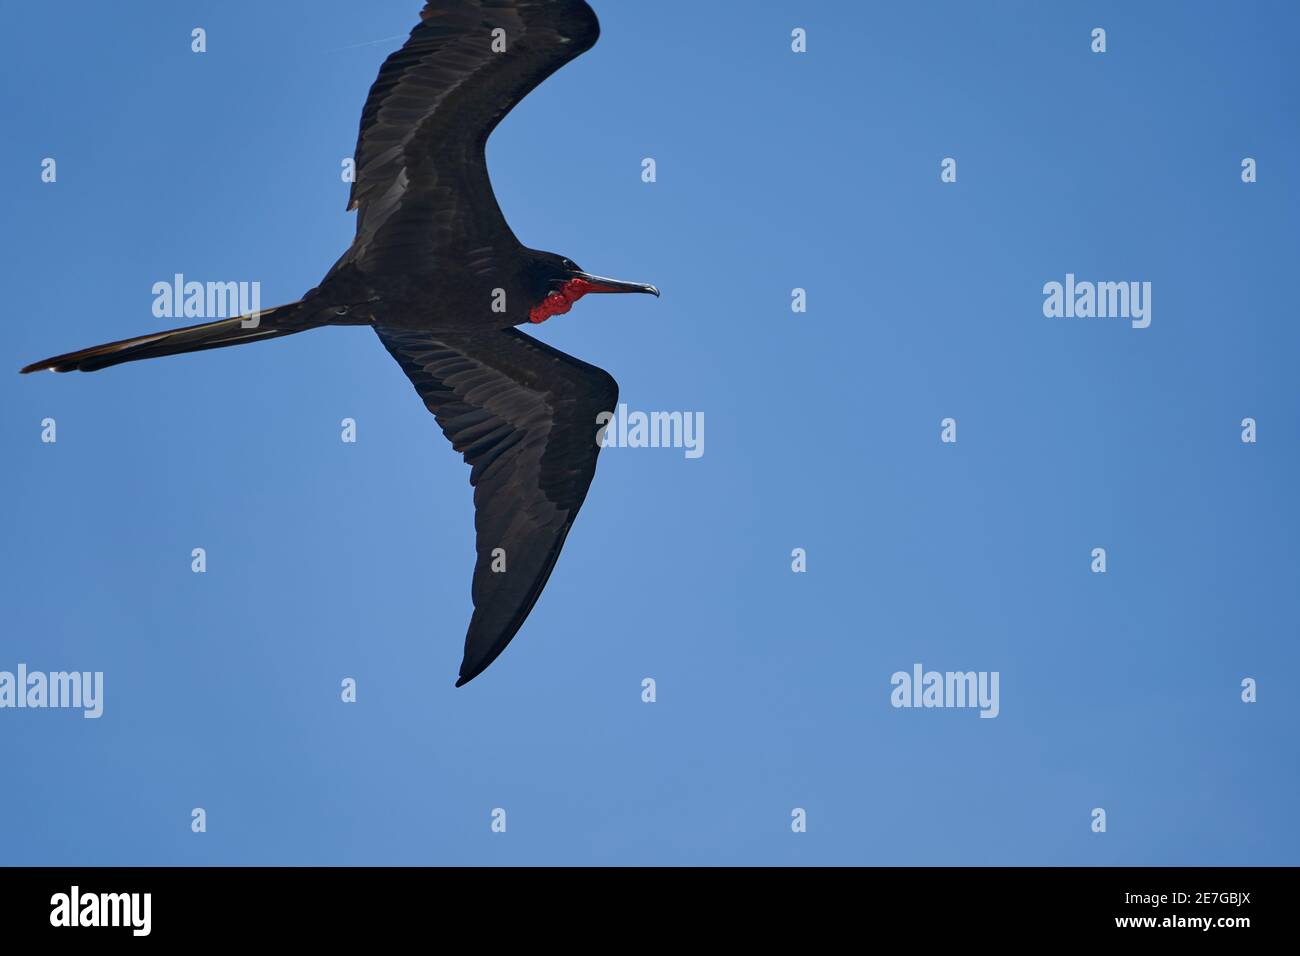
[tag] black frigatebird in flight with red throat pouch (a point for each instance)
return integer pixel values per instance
(439, 275)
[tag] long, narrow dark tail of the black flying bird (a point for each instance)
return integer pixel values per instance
(193, 339)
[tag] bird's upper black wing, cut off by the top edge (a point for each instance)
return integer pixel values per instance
(422, 176)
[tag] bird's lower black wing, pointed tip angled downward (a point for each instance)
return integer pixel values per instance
(526, 418)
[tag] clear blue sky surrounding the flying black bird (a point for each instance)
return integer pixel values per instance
(775, 171)
